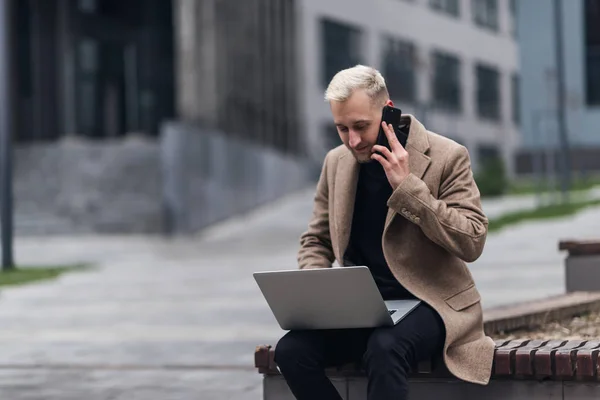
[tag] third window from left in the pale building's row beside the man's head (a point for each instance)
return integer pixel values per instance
(447, 82)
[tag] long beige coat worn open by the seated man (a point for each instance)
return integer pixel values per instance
(434, 225)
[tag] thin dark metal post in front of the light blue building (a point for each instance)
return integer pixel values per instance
(565, 165)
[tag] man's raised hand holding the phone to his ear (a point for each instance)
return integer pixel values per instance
(394, 162)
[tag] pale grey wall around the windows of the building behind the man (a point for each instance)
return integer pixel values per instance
(416, 22)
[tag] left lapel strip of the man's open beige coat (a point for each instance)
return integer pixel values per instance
(344, 196)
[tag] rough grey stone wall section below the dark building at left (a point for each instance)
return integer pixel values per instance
(82, 186)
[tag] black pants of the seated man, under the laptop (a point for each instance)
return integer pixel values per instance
(389, 354)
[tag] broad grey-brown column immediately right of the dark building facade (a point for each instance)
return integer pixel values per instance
(195, 25)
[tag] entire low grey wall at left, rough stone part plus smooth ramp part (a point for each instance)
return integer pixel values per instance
(185, 181)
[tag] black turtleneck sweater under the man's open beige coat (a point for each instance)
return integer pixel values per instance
(370, 210)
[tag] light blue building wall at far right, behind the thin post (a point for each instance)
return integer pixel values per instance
(538, 68)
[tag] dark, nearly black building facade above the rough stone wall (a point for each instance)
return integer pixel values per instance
(93, 68)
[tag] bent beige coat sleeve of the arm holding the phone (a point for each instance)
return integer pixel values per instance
(455, 220)
